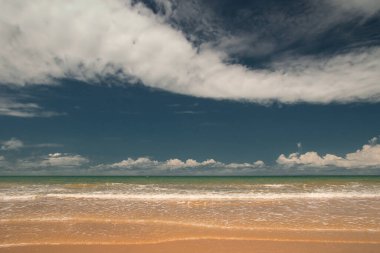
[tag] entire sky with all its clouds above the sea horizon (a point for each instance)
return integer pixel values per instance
(169, 87)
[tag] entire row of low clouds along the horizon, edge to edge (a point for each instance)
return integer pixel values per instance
(366, 159)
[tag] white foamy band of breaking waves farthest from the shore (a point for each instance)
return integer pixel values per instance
(164, 192)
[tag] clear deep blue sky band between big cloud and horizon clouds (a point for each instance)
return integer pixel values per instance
(109, 124)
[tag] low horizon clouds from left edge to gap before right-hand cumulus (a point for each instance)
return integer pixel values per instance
(74, 164)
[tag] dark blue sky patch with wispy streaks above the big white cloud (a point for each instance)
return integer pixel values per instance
(259, 32)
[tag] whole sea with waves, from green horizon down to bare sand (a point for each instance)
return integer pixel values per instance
(117, 210)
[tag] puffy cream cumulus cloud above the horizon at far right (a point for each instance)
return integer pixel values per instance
(366, 157)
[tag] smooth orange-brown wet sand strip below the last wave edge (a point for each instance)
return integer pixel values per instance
(209, 246)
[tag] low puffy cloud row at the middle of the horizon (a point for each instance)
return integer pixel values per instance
(145, 165)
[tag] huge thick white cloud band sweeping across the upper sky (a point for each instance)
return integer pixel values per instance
(88, 40)
